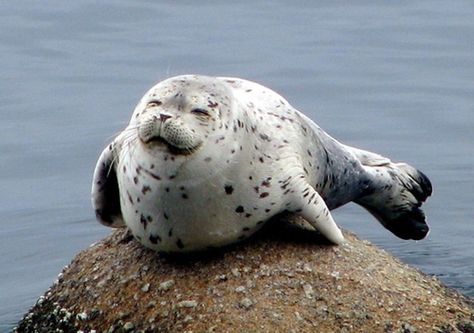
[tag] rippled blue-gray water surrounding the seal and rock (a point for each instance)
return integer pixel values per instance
(393, 77)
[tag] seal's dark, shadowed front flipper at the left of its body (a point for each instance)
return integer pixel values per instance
(105, 191)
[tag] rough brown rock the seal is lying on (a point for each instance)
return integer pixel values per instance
(282, 280)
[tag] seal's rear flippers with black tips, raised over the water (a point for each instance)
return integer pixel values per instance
(394, 196)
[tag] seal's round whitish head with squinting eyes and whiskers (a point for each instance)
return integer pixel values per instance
(180, 114)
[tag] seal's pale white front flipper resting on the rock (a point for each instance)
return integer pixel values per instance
(309, 204)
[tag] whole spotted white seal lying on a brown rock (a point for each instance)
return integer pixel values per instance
(206, 161)
